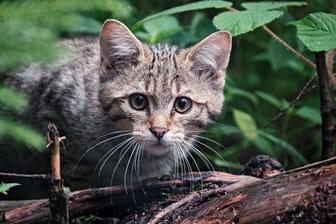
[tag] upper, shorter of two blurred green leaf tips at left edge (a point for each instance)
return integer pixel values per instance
(12, 100)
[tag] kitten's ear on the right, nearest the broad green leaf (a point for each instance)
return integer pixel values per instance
(210, 57)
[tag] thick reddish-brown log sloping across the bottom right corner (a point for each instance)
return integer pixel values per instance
(305, 195)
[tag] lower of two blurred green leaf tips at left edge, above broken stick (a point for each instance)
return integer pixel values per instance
(14, 130)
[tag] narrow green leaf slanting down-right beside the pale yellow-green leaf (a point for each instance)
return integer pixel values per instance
(282, 143)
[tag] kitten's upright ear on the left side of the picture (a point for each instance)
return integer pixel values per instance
(119, 47)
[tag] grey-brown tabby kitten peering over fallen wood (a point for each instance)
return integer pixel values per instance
(129, 111)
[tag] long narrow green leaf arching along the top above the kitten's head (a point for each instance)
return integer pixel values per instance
(186, 8)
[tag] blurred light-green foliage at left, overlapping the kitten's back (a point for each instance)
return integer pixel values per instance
(30, 30)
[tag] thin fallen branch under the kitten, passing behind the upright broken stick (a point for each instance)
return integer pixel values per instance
(91, 200)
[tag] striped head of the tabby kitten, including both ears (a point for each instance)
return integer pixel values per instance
(162, 95)
